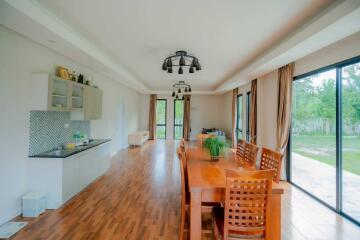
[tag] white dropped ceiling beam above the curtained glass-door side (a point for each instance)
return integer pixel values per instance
(338, 21)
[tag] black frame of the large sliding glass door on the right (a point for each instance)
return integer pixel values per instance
(339, 160)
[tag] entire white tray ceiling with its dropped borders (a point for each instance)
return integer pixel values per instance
(235, 40)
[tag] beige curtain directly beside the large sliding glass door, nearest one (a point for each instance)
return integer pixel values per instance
(285, 79)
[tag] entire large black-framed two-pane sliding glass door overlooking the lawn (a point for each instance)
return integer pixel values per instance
(325, 136)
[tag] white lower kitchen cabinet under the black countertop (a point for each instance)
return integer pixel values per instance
(63, 178)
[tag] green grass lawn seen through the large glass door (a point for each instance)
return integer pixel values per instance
(323, 149)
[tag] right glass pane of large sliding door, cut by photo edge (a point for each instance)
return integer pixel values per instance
(351, 140)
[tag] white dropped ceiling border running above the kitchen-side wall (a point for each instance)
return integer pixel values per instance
(16, 14)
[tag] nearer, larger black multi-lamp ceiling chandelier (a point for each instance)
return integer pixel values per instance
(181, 59)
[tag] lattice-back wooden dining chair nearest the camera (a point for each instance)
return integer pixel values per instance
(246, 213)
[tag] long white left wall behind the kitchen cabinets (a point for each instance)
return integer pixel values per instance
(19, 57)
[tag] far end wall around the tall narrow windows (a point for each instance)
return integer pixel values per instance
(206, 111)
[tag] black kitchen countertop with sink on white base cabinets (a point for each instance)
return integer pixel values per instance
(66, 153)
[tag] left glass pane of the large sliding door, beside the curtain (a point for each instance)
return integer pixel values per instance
(313, 135)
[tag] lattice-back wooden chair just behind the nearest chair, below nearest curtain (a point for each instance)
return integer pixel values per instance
(271, 160)
